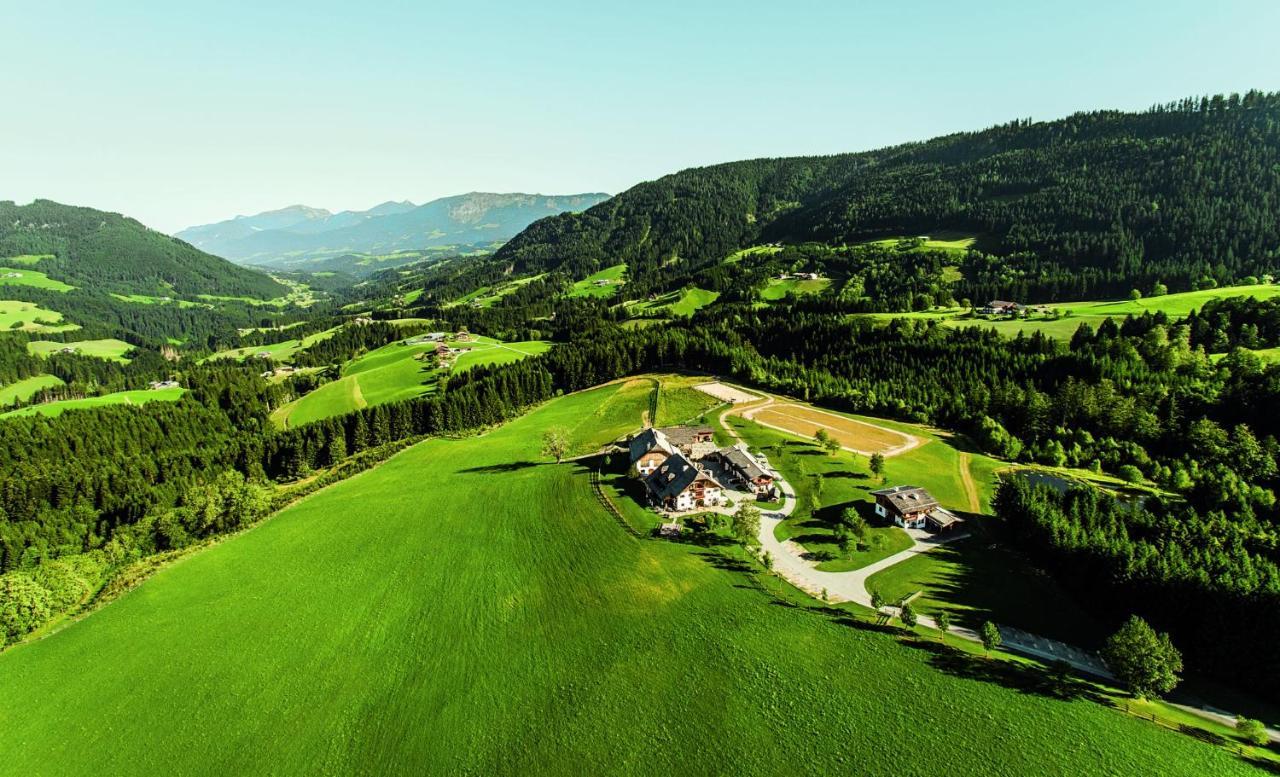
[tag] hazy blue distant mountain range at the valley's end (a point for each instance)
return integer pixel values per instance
(299, 237)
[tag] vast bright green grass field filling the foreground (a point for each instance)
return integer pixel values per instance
(468, 609)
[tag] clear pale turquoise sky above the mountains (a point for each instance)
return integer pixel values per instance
(181, 113)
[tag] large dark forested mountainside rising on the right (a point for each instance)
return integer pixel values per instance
(1096, 204)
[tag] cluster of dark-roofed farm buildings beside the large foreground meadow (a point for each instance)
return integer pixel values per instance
(676, 467)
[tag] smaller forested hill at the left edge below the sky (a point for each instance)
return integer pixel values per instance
(111, 253)
